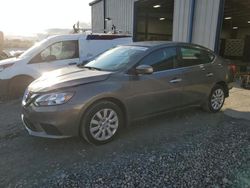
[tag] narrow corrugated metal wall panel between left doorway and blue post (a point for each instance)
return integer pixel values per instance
(182, 13)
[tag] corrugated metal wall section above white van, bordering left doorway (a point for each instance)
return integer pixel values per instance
(121, 14)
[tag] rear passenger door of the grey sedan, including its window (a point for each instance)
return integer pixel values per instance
(197, 74)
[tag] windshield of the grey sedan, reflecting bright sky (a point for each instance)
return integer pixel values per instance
(116, 58)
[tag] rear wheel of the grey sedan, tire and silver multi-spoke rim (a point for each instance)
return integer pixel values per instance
(215, 100)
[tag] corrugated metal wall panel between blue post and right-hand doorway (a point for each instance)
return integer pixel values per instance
(205, 22)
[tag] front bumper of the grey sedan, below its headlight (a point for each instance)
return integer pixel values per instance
(60, 121)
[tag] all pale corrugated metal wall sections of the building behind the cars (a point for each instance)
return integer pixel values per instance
(204, 23)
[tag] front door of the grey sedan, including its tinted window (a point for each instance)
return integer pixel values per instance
(159, 91)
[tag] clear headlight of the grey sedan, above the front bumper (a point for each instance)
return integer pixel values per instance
(53, 99)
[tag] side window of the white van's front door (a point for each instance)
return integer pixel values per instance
(58, 51)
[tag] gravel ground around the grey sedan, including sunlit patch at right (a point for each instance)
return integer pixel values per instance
(189, 148)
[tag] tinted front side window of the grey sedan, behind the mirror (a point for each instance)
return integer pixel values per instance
(160, 60)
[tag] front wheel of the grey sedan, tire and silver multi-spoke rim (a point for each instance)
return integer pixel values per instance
(102, 122)
